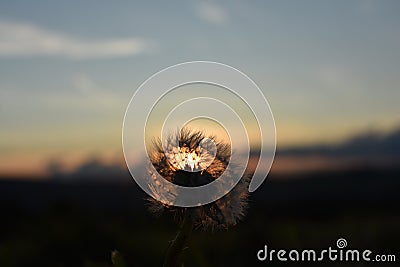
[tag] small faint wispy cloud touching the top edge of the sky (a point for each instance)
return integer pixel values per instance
(212, 13)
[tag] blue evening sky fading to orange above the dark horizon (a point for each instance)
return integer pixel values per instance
(329, 69)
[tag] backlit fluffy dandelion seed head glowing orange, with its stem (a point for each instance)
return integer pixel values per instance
(194, 162)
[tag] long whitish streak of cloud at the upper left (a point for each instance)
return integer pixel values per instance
(23, 39)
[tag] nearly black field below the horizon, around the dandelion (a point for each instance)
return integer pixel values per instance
(59, 223)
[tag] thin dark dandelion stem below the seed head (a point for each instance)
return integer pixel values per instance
(175, 250)
